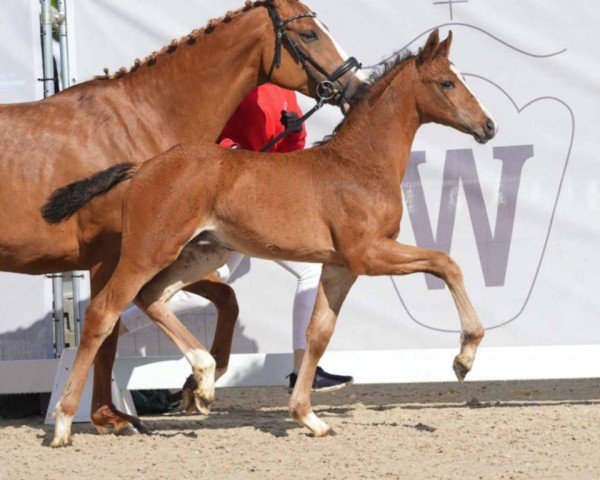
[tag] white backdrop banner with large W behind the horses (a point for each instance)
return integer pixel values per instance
(520, 214)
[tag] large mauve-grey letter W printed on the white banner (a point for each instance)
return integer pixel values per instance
(493, 248)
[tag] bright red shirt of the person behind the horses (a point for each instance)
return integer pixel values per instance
(258, 120)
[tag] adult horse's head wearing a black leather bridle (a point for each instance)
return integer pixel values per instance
(300, 54)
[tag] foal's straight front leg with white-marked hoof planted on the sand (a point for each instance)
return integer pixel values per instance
(334, 285)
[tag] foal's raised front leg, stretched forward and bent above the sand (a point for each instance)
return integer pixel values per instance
(387, 257)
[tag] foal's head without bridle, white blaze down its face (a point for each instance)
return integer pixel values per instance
(443, 96)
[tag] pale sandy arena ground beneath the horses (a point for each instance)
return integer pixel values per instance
(516, 430)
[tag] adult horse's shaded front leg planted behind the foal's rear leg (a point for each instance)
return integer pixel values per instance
(104, 415)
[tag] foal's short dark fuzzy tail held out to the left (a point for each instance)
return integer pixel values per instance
(66, 201)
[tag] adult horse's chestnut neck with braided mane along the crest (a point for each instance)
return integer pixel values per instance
(191, 93)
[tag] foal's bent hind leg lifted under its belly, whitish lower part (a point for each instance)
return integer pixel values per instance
(194, 262)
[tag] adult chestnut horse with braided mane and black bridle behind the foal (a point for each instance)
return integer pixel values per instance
(185, 93)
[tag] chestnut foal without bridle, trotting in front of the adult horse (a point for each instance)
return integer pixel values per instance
(186, 207)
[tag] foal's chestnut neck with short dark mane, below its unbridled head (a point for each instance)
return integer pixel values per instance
(382, 129)
